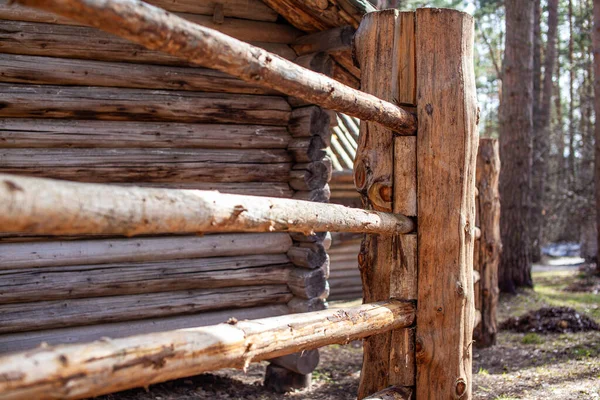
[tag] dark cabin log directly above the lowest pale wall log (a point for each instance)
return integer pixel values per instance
(21, 317)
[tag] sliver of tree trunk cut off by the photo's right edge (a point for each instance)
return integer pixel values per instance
(596, 46)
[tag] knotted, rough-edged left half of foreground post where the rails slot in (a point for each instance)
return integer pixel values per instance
(385, 175)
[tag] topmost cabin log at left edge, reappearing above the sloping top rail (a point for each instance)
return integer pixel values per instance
(247, 30)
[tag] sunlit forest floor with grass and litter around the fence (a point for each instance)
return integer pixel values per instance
(520, 366)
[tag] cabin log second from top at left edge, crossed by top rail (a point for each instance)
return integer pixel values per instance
(35, 39)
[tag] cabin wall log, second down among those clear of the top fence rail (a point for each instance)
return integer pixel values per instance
(49, 133)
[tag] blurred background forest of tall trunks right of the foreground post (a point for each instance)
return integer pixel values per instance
(553, 178)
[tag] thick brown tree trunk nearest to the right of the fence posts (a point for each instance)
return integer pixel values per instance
(515, 145)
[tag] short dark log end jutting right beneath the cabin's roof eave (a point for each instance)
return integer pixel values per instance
(336, 39)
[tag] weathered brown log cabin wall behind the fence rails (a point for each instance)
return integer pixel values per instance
(82, 105)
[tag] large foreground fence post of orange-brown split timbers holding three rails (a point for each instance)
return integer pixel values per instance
(421, 60)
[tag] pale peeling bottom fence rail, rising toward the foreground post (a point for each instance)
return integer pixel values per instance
(112, 365)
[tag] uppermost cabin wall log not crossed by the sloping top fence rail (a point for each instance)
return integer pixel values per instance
(141, 105)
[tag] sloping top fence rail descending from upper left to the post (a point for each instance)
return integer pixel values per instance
(204, 46)
